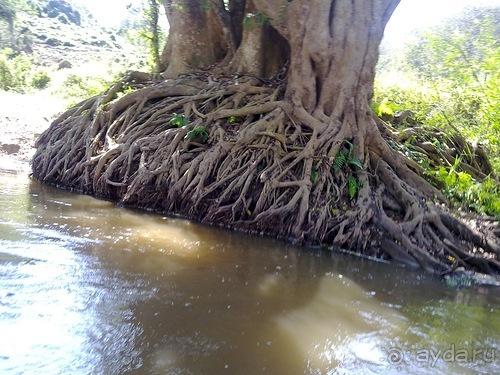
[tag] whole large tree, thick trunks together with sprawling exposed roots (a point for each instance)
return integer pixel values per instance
(261, 121)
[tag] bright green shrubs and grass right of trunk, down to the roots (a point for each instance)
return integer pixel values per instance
(449, 79)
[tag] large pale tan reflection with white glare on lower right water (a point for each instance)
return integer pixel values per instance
(345, 323)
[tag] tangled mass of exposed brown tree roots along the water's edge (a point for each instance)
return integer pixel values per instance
(248, 160)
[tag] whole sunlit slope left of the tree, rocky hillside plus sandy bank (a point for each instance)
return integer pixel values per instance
(64, 42)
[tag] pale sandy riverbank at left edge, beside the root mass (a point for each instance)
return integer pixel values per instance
(22, 119)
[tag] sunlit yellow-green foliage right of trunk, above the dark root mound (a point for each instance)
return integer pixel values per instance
(449, 79)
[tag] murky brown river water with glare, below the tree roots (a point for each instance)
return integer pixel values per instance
(90, 288)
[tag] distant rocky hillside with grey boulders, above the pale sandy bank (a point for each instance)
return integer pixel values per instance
(59, 34)
